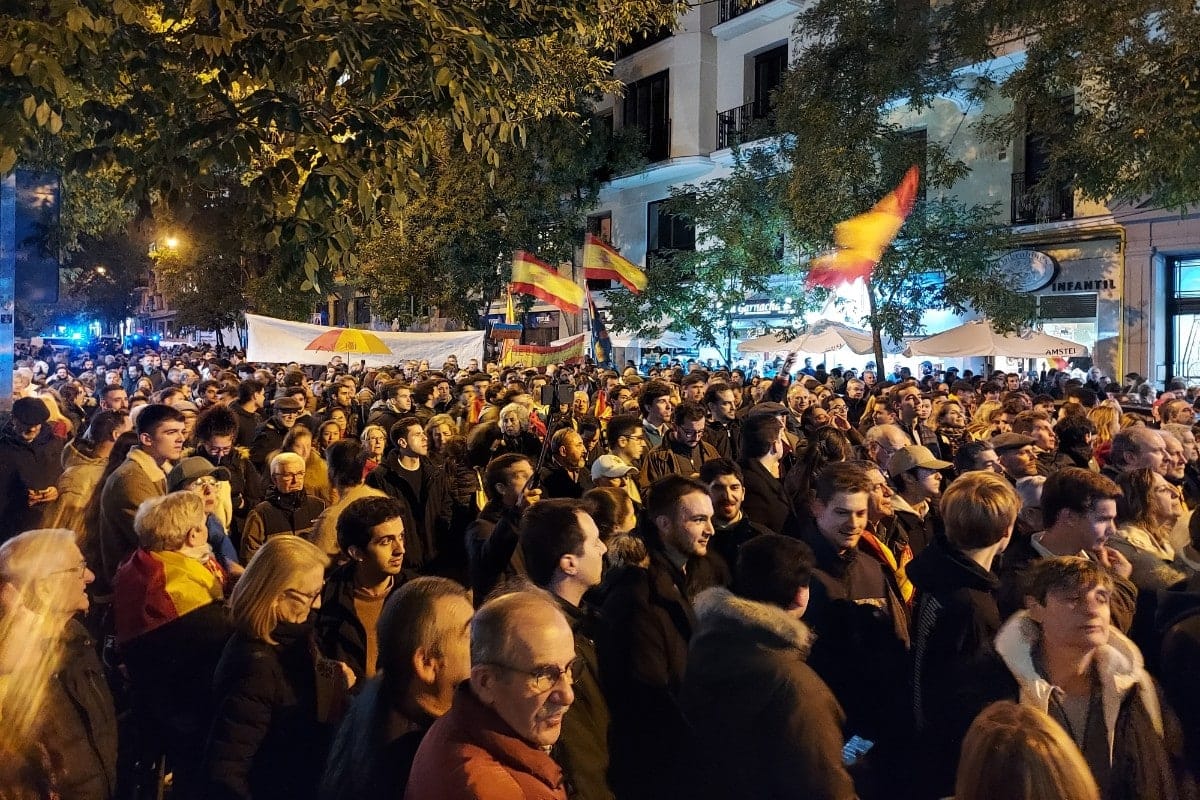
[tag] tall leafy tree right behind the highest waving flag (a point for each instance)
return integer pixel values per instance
(860, 59)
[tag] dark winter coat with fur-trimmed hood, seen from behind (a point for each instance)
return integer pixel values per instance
(765, 726)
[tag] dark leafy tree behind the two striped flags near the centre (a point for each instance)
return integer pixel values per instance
(453, 249)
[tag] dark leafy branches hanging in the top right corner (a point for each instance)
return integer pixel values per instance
(1129, 69)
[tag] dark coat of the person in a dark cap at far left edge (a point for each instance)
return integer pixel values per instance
(26, 466)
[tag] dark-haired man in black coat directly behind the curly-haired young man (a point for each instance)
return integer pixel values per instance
(409, 476)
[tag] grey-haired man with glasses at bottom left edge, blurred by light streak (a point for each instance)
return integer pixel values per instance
(44, 582)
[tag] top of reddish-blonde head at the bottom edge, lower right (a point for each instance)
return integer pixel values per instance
(1017, 753)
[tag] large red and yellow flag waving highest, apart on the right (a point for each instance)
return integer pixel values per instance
(861, 242)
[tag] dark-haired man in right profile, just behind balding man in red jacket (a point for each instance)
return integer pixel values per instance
(563, 555)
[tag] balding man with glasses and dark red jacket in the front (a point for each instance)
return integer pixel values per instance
(494, 741)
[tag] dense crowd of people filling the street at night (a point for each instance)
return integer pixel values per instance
(235, 581)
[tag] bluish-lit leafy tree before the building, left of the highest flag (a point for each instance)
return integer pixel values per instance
(741, 230)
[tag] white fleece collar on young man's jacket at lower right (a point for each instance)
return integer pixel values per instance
(1120, 664)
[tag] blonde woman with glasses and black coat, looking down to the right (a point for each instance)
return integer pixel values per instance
(275, 695)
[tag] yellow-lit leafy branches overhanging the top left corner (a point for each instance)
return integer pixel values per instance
(328, 113)
